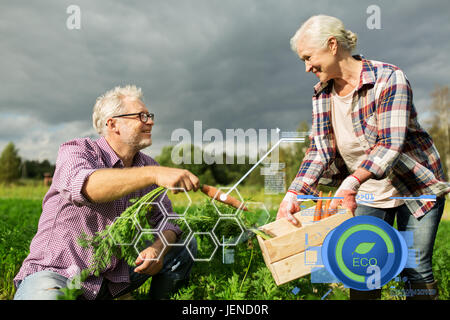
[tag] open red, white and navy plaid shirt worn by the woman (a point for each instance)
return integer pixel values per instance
(385, 123)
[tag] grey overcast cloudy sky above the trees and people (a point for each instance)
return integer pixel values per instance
(227, 63)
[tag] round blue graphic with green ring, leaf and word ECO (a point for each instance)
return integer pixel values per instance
(364, 253)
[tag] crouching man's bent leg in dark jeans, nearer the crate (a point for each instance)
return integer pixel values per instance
(175, 273)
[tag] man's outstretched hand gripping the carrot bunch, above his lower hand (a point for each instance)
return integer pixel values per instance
(175, 178)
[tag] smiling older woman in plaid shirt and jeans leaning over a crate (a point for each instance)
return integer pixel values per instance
(365, 138)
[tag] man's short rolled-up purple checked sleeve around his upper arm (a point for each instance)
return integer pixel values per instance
(74, 165)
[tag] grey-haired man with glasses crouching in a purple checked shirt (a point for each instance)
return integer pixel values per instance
(93, 183)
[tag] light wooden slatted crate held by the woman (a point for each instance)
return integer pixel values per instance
(285, 254)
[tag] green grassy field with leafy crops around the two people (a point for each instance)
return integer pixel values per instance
(246, 278)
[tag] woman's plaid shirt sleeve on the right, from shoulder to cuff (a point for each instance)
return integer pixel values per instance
(393, 115)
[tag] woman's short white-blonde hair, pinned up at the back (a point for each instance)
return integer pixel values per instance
(318, 29)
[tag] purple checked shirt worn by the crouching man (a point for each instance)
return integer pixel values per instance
(66, 213)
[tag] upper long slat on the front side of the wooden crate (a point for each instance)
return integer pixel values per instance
(297, 240)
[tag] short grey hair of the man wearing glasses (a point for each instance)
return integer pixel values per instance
(111, 103)
